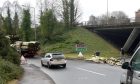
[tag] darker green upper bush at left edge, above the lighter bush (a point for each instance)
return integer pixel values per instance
(6, 52)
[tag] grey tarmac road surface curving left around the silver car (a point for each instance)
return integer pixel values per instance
(81, 72)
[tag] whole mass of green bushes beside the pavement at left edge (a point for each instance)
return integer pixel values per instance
(9, 61)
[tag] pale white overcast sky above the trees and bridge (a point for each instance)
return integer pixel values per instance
(97, 7)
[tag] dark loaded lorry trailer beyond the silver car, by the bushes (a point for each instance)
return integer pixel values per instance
(28, 49)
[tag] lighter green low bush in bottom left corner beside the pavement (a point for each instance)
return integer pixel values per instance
(9, 71)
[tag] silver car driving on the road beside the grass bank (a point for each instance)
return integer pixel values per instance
(53, 59)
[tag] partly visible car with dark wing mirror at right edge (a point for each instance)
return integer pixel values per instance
(131, 74)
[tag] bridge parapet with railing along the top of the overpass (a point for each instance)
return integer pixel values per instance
(130, 22)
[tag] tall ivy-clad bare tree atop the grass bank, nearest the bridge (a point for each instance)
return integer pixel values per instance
(71, 12)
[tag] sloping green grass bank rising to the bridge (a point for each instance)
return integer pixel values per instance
(92, 41)
